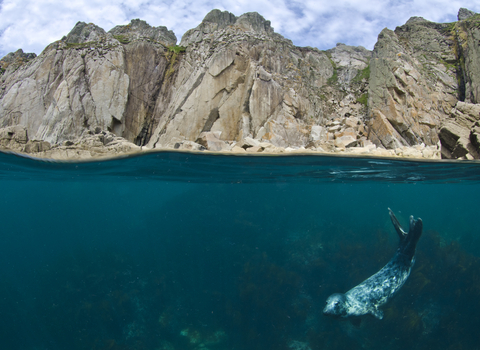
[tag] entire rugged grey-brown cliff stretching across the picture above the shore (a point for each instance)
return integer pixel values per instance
(233, 83)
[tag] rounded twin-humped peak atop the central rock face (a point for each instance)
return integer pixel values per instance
(217, 20)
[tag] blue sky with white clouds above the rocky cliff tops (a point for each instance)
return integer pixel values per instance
(33, 24)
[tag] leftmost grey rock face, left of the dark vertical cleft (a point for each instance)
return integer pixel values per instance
(87, 80)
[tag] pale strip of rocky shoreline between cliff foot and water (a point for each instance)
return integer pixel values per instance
(101, 145)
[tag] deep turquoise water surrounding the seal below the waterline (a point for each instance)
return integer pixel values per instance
(196, 251)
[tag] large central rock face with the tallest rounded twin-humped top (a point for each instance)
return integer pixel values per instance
(239, 78)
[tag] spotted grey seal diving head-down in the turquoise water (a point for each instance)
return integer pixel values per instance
(368, 296)
